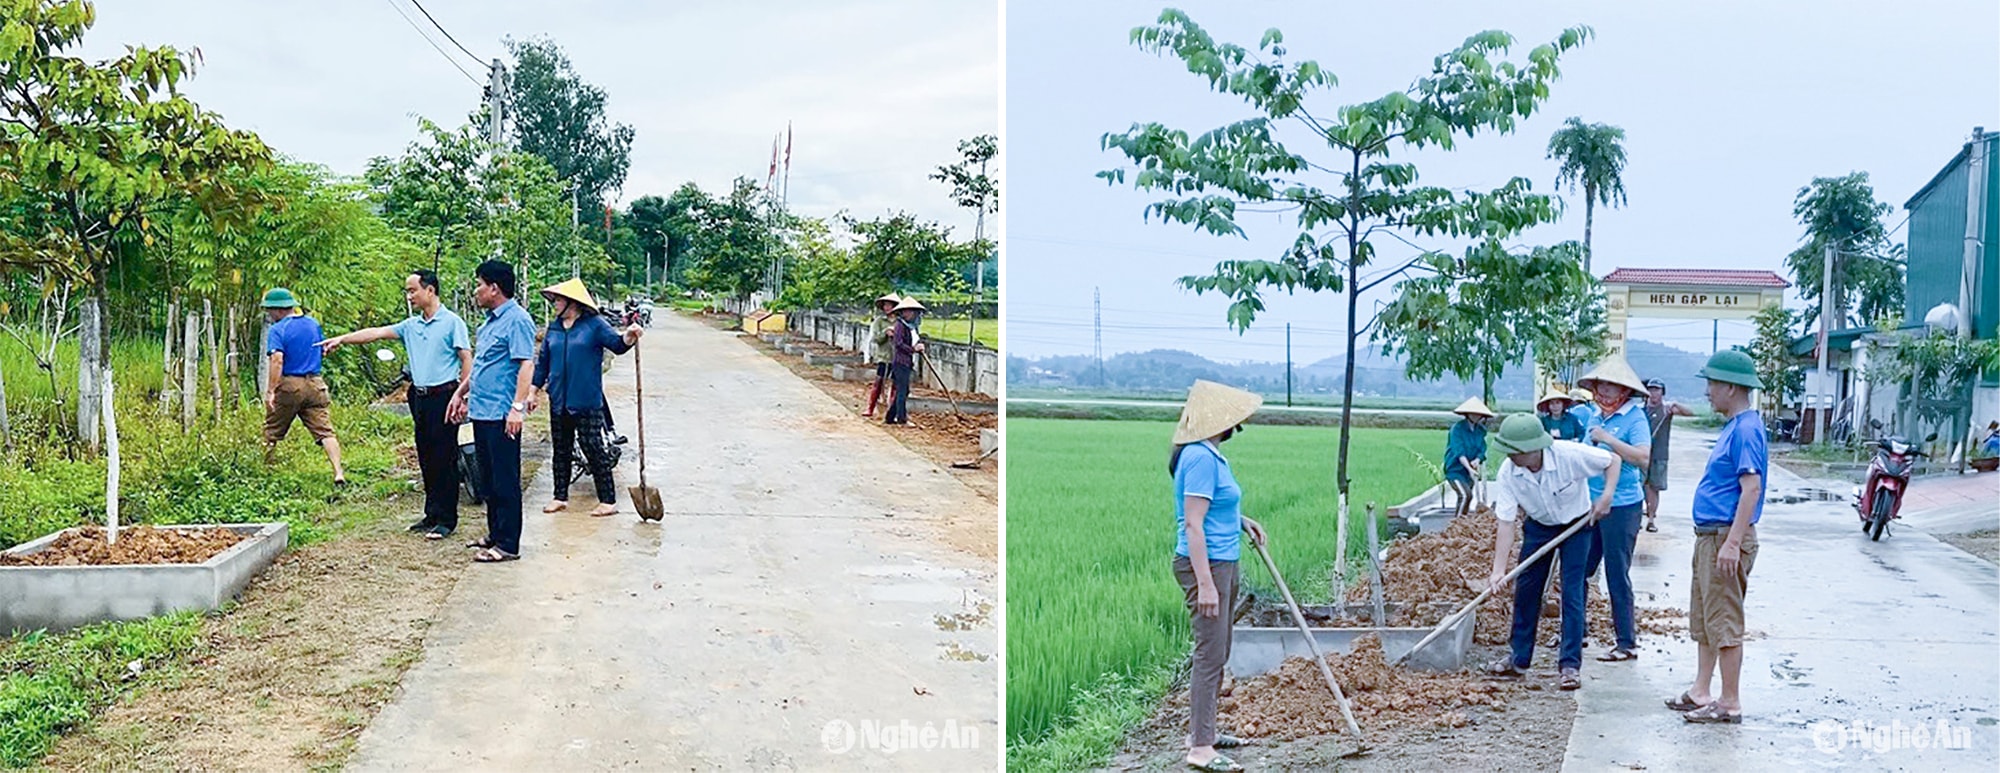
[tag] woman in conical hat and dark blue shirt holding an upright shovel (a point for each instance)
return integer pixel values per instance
(571, 369)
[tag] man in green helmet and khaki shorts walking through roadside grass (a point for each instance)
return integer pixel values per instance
(295, 390)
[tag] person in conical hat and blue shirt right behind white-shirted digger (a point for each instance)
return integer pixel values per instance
(1617, 422)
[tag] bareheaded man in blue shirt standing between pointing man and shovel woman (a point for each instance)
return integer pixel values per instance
(497, 402)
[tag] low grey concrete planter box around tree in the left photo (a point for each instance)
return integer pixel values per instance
(67, 598)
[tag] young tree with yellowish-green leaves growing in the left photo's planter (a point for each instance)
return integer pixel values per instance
(103, 147)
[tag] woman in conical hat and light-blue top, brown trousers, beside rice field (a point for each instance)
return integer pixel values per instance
(1209, 540)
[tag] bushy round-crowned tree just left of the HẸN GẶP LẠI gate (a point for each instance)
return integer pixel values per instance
(1483, 311)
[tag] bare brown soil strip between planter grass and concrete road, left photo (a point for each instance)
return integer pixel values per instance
(297, 670)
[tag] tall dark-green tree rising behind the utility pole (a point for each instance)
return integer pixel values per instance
(561, 117)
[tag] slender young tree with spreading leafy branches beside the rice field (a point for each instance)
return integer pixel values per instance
(1353, 195)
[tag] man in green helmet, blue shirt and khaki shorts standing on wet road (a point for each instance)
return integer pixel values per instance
(1727, 506)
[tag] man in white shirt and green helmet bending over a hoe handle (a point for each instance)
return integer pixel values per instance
(1549, 484)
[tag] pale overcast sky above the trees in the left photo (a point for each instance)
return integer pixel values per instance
(879, 93)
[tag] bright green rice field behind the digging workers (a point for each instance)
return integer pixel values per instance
(1093, 606)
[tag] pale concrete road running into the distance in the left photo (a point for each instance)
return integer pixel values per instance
(799, 608)
